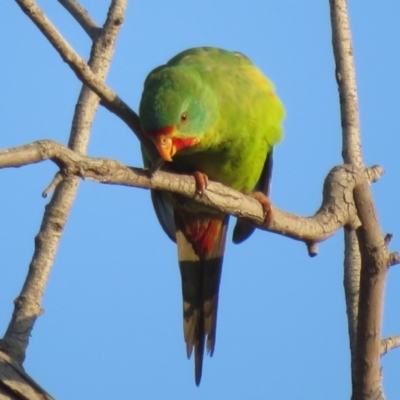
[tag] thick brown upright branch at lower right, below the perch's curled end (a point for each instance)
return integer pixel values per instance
(374, 267)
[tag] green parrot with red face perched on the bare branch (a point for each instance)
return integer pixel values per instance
(211, 113)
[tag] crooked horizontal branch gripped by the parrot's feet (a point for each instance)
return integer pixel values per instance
(337, 209)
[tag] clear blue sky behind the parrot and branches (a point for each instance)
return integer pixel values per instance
(112, 327)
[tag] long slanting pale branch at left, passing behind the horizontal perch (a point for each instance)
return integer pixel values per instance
(27, 305)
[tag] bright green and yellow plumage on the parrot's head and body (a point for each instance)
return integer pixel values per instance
(237, 113)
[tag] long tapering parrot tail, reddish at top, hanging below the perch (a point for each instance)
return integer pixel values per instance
(200, 266)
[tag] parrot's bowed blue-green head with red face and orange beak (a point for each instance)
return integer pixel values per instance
(177, 110)
